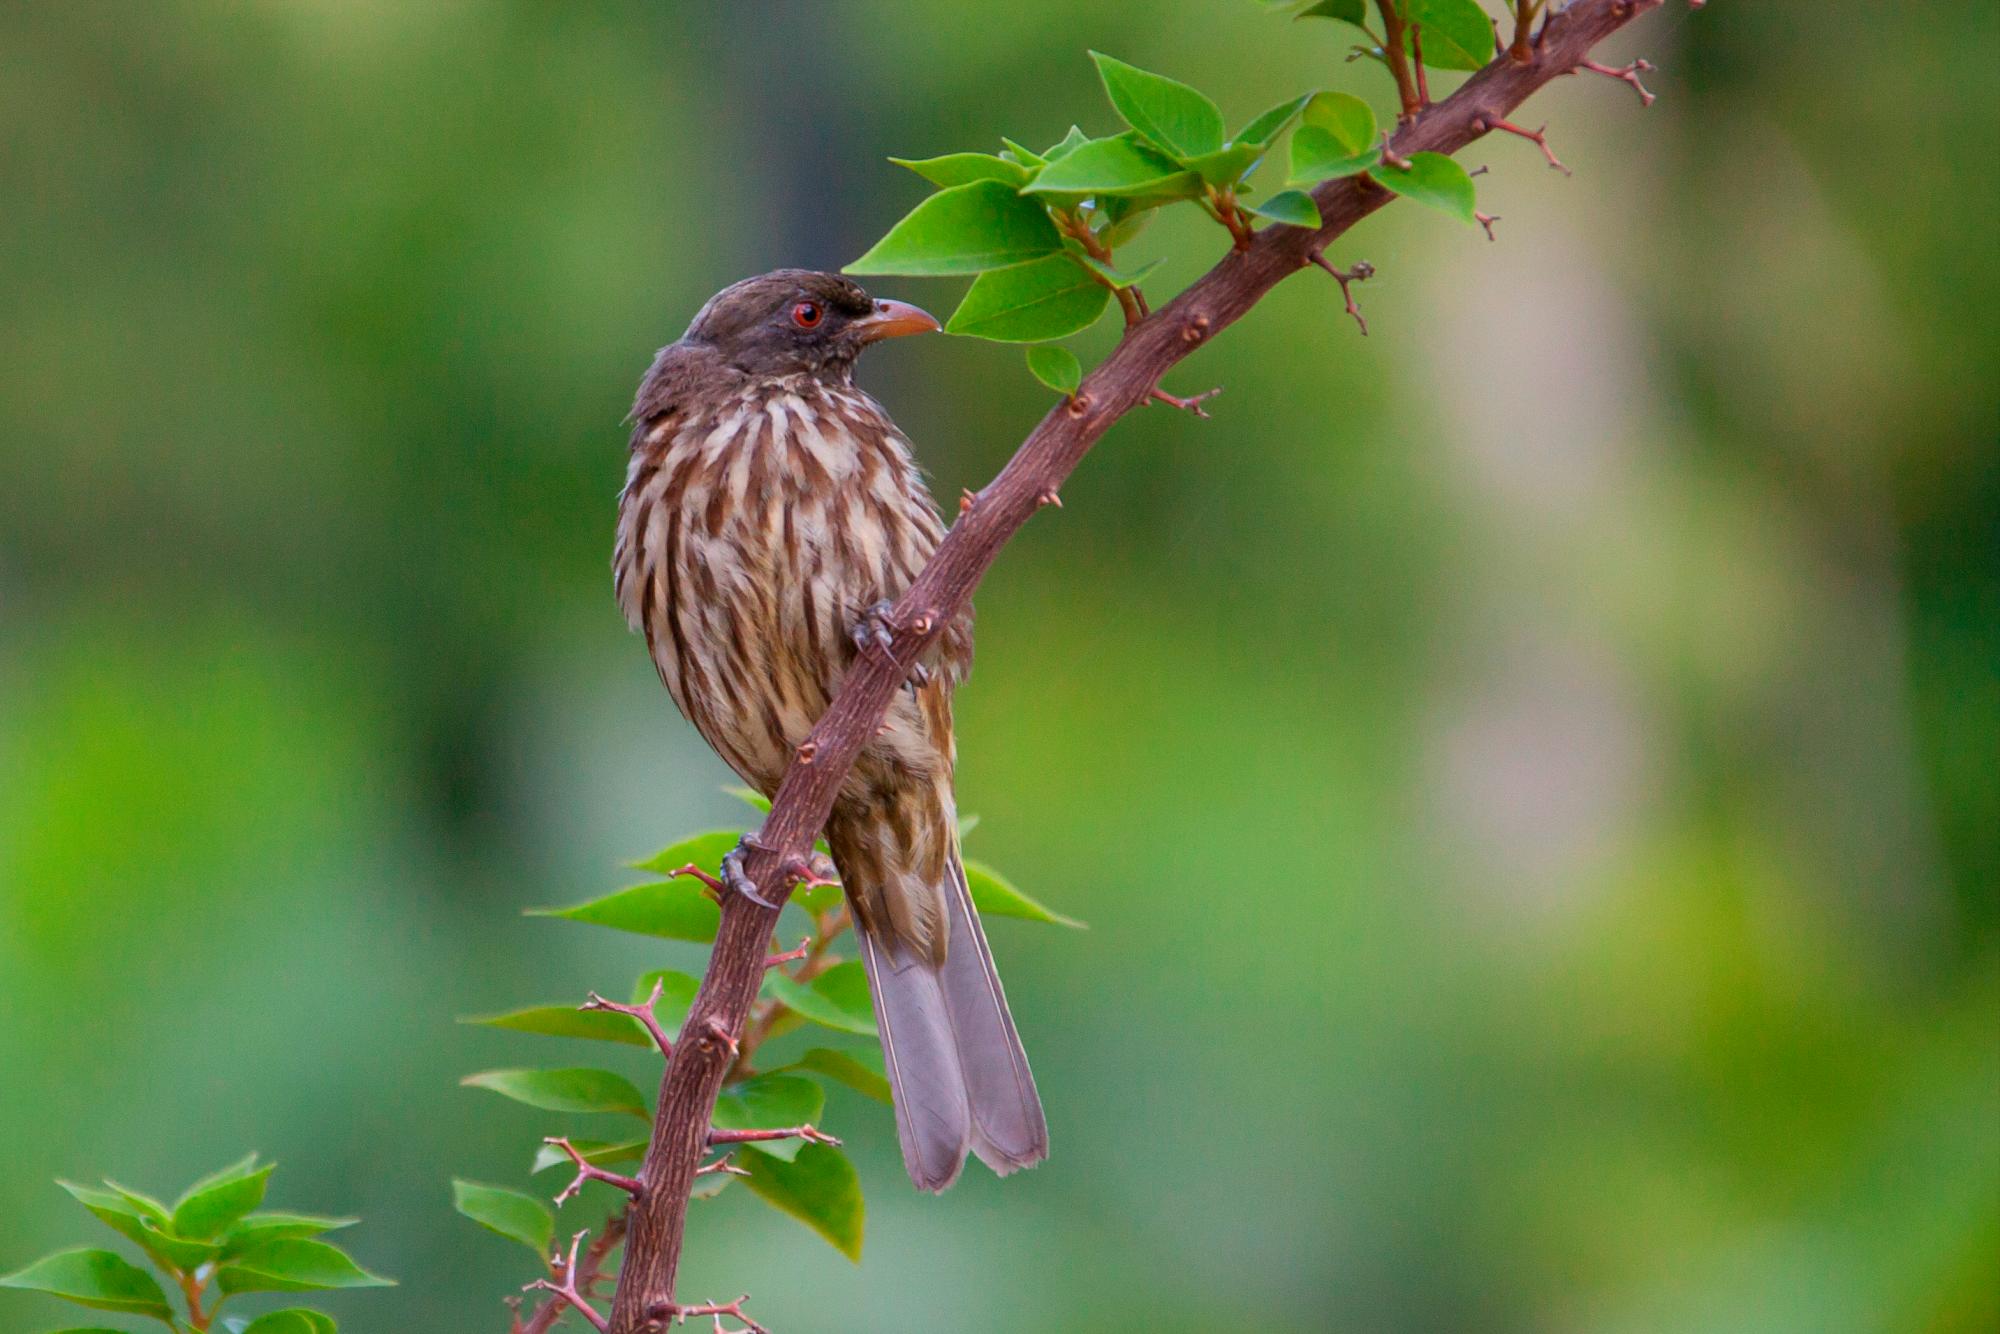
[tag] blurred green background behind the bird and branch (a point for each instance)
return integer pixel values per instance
(1533, 773)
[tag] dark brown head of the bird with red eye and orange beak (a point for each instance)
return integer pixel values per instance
(801, 321)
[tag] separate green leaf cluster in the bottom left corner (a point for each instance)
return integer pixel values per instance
(213, 1245)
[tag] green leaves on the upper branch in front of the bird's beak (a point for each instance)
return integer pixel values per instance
(1041, 231)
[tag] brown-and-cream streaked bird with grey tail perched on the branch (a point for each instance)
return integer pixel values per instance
(771, 517)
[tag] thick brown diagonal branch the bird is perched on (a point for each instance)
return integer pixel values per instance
(1029, 483)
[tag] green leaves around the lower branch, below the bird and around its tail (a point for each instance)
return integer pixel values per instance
(819, 995)
